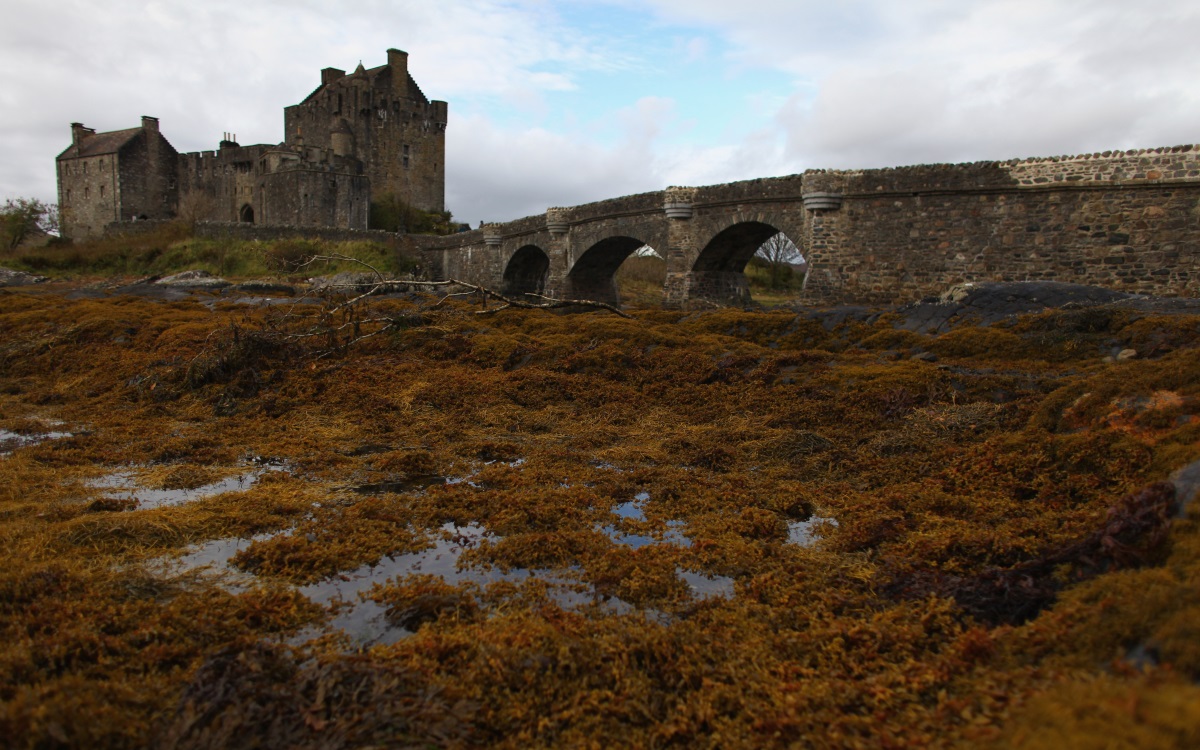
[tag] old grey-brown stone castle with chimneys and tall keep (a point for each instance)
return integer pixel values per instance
(358, 136)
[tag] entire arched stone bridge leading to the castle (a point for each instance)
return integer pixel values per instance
(1126, 220)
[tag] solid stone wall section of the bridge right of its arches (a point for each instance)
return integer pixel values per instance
(1129, 221)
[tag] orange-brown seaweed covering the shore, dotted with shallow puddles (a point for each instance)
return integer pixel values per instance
(833, 544)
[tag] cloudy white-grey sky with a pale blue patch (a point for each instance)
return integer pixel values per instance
(561, 103)
